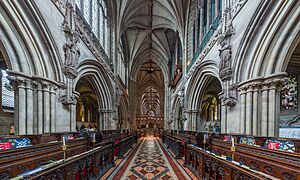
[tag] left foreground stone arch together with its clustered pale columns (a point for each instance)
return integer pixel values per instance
(34, 67)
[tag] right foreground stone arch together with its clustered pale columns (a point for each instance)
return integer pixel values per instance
(260, 66)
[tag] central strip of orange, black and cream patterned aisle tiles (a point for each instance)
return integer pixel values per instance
(149, 163)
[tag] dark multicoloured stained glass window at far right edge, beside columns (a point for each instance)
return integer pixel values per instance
(289, 93)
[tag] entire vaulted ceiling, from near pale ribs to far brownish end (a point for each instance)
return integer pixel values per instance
(148, 30)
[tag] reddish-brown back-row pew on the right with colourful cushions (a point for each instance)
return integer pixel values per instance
(283, 164)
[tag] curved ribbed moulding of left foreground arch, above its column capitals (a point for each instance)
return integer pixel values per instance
(26, 43)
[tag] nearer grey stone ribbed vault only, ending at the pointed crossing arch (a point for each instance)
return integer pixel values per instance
(149, 29)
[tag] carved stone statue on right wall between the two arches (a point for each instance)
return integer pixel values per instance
(225, 55)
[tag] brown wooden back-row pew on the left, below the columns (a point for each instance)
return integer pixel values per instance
(20, 160)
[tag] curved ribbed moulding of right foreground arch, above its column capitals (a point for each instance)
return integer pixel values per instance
(268, 43)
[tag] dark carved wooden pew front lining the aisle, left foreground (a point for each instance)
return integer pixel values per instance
(89, 165)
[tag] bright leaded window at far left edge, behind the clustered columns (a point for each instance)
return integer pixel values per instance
(7, 92)
